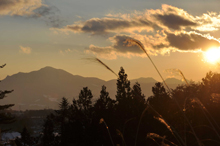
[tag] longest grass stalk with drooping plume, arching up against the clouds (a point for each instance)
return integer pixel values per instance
(135, 42)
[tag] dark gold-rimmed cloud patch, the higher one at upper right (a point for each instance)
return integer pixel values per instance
(174, 21)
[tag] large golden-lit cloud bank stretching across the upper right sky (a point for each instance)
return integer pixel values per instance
(161, 31)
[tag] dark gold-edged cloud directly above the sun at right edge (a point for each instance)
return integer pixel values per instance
(191, 41)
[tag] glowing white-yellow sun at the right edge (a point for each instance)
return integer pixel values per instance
(212, 55)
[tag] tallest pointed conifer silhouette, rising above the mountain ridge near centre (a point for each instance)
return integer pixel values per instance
(124, 108)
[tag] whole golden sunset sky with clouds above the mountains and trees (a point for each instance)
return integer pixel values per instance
(69, 34)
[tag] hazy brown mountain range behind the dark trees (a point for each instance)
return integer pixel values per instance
(44, 88)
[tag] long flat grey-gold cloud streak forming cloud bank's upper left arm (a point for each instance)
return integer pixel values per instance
(107, 25)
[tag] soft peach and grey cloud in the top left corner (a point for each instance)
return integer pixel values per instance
(31, 9)
